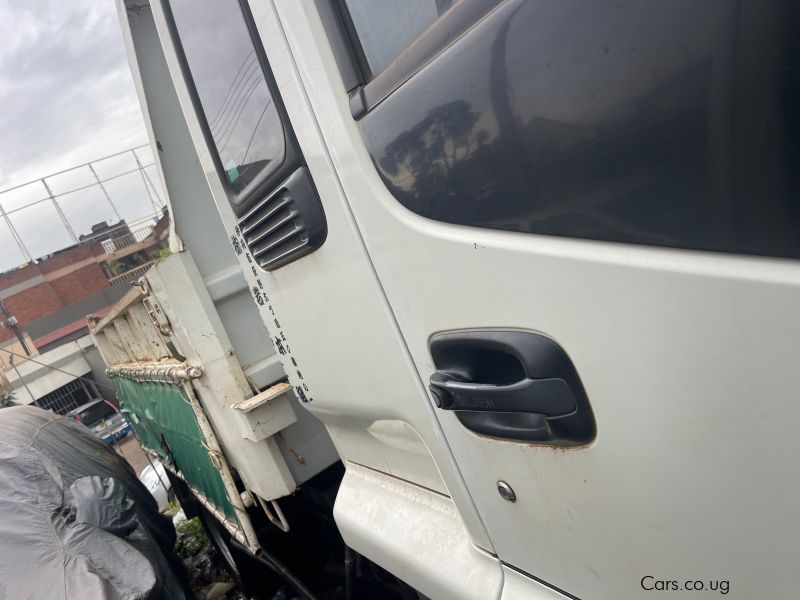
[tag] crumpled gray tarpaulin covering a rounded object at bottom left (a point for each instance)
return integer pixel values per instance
(75, 523)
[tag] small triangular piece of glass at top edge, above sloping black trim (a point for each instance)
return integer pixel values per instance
(385, 28)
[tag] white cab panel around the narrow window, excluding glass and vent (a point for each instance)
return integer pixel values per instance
(330, 306)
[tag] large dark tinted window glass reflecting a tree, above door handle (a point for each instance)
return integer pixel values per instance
(664, 123)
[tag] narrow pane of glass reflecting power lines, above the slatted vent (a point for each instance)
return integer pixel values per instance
(231, 86)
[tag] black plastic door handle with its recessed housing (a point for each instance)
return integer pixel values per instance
(511, 385)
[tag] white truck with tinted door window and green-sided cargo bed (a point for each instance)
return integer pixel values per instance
(527, 270)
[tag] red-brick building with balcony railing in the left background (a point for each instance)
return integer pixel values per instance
(49, 300)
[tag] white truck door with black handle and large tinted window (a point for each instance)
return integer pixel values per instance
(586, 220)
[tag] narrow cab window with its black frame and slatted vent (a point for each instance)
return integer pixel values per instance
(245, 124)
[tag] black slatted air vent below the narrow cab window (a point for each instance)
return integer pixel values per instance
(286, 225)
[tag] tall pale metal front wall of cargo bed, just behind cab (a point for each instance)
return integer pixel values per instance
(197, 227)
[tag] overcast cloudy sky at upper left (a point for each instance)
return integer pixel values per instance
(66, 97)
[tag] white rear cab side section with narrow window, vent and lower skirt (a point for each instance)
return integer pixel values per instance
(280, 201)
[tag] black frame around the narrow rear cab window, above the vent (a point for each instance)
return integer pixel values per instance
(268, 178)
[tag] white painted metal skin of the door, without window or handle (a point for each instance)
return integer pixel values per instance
(688, 359)
